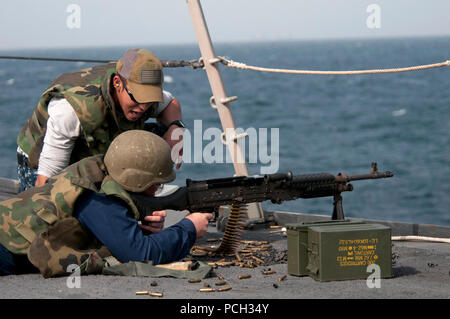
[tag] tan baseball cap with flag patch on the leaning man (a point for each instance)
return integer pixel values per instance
(144, 75)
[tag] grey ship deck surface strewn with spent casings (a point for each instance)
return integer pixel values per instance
(422, 270)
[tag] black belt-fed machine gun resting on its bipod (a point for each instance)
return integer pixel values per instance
(208, 195)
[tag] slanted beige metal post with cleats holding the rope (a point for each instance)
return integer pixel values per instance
(220, 100)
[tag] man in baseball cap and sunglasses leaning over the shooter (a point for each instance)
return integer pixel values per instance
(81, 112)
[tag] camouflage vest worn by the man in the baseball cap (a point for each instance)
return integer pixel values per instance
(89, 93)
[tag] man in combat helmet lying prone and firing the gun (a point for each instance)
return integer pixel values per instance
(85, 214)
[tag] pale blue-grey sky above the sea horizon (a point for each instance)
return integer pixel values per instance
(43, 23)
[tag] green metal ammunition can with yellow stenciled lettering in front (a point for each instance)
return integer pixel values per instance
(344, 252)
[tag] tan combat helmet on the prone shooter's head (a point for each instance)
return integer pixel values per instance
(138, 159)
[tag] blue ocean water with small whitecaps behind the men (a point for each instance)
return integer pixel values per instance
(325, 123)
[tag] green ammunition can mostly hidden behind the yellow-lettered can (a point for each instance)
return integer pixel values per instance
(297, 242)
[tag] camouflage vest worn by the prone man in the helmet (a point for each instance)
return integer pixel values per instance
(39, 221)
